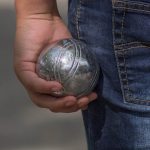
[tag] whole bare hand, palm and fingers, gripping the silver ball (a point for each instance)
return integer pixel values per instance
(33, 33)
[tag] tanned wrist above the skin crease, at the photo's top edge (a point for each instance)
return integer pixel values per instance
(36, 8)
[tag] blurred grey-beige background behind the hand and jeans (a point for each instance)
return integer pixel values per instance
(23, 126)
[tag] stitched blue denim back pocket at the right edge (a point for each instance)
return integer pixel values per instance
(131, 35)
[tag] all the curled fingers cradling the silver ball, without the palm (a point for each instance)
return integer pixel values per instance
(40, 89)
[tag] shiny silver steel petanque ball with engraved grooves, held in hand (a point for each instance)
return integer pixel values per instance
(71, 63)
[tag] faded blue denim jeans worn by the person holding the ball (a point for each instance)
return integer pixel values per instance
(118, 31)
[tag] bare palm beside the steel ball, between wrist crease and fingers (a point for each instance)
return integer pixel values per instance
(32, 37)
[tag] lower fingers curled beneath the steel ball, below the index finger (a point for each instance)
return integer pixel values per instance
(65, 104)
